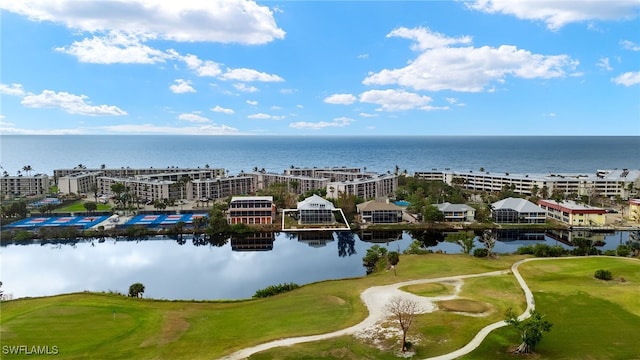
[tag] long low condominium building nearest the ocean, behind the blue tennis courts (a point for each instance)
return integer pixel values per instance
(132, 172)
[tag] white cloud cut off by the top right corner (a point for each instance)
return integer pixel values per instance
(556, 14)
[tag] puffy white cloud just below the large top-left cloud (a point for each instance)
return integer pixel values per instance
(115, 47)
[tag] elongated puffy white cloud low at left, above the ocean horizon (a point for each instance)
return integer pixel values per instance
(72, 104)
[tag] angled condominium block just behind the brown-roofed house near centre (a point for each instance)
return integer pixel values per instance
(366, 188)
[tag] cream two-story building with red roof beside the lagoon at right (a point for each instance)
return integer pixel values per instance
(572, 213)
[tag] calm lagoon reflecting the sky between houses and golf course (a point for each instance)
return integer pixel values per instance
(228, 268)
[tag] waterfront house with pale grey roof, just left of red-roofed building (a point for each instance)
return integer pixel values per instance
(517, 211)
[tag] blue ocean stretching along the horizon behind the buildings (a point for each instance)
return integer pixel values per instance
(515, 154)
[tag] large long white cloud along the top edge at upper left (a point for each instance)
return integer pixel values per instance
(224, 21)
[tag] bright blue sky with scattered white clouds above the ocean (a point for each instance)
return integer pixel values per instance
(481, 67)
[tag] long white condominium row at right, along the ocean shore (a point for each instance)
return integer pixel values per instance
(606, 183)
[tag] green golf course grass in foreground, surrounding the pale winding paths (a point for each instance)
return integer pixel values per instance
(103, 326)
